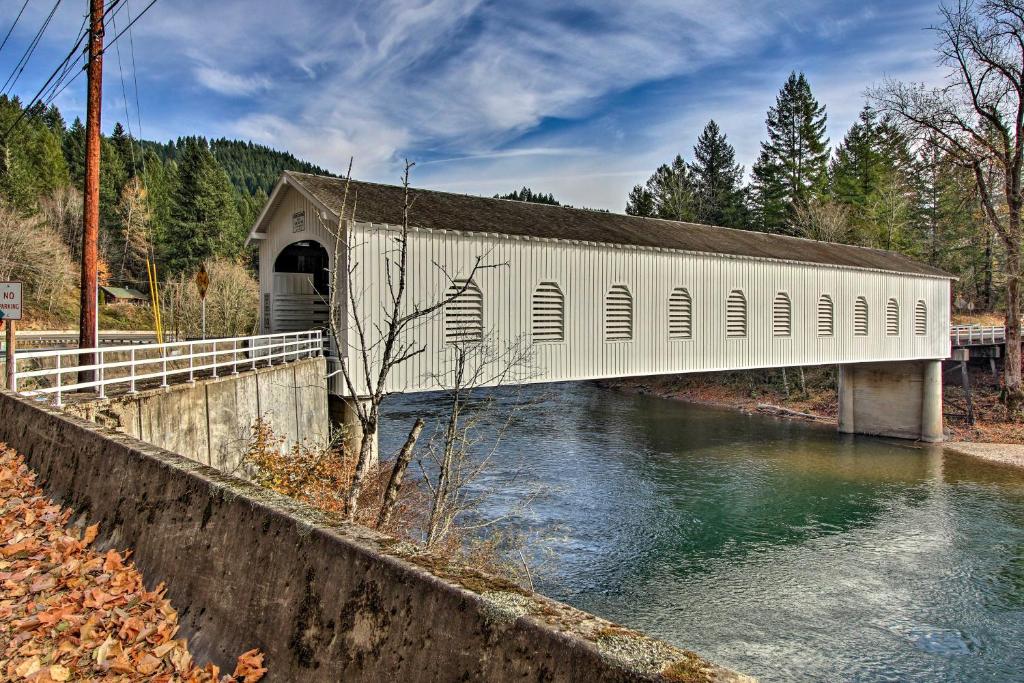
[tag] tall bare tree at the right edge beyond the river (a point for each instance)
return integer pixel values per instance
(977, 119)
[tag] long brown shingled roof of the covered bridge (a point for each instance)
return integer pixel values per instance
(436, 210)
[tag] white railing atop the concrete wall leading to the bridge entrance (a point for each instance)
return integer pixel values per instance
(55, 373)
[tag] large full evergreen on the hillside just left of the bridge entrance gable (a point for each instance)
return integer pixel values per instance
(204, 219)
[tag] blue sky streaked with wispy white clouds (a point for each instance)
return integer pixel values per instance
(581, 100)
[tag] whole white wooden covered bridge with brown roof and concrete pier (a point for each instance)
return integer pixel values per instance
(603, 295)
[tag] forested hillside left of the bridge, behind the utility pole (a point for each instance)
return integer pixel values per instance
(182, 201)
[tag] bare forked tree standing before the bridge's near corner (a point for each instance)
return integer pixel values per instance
(377, 349)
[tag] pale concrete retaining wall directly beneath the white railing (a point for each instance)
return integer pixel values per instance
(210, 421)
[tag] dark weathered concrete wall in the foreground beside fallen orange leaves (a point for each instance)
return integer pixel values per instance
(249, 569)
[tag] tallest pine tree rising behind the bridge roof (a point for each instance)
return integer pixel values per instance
(793, 164)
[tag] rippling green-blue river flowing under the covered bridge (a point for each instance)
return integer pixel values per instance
(777, 548)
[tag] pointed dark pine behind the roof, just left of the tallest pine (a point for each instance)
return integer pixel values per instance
(718, 181)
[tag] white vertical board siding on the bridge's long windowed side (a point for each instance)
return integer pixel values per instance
(587, 273)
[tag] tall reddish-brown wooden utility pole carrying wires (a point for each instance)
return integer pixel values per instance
(88, 337)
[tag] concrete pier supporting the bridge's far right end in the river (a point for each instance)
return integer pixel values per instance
(899, 399)
